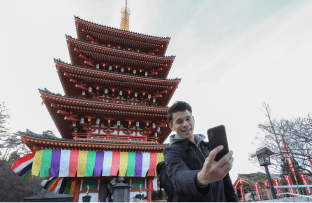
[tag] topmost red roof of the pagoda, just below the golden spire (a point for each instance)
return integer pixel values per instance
(92, 32)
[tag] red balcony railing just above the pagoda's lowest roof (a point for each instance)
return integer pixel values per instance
(101, 137)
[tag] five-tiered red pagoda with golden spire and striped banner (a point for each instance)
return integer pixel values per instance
(112, 118)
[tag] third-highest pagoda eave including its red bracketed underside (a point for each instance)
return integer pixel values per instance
(76, 79)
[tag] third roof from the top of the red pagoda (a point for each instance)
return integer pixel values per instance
(70, 75)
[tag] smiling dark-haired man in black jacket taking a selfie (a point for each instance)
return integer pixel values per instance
(190, 164)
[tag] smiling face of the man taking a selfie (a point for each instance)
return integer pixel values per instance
(183, 124)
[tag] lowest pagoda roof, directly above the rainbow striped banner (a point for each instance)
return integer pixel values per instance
(41, 141)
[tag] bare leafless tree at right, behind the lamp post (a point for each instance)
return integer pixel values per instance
(293, 133)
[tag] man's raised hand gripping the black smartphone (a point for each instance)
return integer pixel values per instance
(215, 170)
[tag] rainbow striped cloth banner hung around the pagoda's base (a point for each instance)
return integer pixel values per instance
(72, 163)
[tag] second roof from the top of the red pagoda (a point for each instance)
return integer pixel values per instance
(81, 50)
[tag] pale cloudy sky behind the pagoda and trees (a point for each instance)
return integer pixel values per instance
(231, 55)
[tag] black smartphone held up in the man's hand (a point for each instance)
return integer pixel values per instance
(217, 136)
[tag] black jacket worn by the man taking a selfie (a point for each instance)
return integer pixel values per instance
(183, 161)
